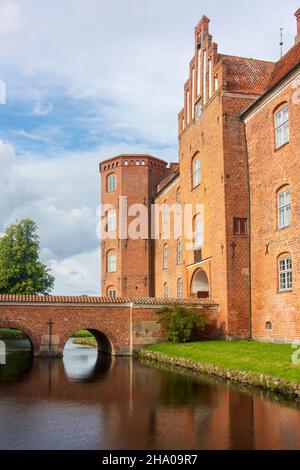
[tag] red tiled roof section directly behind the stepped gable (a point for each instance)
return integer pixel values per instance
(247, 76)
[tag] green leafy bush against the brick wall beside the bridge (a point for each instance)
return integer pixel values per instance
(180, 322)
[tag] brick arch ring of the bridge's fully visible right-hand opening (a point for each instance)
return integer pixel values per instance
(106, 341)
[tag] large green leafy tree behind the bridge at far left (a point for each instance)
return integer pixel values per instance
(20, 269)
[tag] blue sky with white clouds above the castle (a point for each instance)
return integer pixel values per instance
(88, 79)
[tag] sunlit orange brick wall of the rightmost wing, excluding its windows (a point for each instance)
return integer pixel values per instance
(270, 170)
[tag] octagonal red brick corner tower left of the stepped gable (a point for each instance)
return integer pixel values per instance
(126, 269)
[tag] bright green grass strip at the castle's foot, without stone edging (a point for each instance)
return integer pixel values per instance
(250, 356)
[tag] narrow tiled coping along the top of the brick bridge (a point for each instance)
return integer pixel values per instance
(50, 299)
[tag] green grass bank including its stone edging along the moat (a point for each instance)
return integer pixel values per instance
(249, 362)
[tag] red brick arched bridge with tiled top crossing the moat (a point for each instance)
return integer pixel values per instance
(120, 325)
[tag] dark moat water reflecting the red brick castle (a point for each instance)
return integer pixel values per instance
(86, 401)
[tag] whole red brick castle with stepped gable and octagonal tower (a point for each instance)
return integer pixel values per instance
(239, 150)
